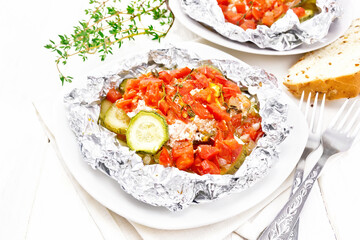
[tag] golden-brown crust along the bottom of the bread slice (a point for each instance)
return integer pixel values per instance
(341, 87)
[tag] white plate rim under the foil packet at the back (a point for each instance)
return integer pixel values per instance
(337, 28)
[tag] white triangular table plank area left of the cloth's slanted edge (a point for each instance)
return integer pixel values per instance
(58, 211)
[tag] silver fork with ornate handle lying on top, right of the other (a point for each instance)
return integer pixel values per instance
(335, 139)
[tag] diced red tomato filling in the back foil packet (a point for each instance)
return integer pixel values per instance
(250, 13)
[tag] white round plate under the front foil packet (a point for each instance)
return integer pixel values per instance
(109, 193)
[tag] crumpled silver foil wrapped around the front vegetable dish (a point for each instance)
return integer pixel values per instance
(170, 187)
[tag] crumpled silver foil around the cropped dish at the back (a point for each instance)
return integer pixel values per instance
(285, 34)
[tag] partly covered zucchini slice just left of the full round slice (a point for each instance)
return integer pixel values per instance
(116, 120)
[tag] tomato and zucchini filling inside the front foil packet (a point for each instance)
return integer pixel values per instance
(195, 120)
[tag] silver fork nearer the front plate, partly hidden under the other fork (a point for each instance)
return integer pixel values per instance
(312, 144)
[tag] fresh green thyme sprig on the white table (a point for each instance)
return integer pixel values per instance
(110, 23)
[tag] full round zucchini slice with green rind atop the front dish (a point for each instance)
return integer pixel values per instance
(147, 132)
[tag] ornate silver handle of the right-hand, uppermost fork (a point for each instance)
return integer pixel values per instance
(284, 222)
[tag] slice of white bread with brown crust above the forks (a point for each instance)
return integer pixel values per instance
(334, 69)
